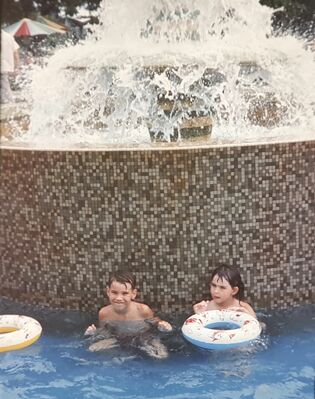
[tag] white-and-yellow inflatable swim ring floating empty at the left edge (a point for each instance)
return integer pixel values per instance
(17, 332)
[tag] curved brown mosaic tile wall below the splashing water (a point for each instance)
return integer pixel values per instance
(70, 218)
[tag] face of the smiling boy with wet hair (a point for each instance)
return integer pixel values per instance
(120, 295)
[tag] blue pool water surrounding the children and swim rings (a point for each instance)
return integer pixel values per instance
(280, 365)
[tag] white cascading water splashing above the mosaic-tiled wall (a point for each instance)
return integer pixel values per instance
(152, 66)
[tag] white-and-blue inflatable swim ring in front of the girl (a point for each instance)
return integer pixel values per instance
(221, 329)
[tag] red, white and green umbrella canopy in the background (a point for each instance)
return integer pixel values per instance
(28, 27)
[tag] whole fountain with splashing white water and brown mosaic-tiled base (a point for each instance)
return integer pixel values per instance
(163, 143)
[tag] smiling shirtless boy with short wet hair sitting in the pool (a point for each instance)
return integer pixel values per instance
(125, 321)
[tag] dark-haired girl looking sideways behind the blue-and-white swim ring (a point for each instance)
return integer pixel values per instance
(227, 291)
